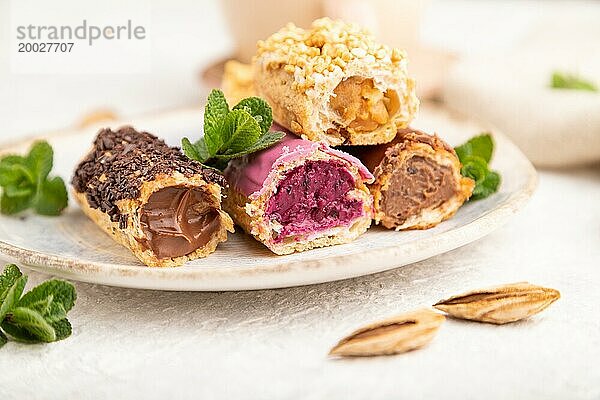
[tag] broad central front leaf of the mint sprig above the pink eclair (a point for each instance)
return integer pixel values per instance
(240, 130)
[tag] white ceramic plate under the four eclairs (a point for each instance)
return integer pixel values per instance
(72, 247)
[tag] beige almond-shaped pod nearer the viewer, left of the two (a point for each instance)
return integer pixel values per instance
(395, 335)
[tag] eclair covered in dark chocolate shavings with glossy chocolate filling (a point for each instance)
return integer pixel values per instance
(151, 198)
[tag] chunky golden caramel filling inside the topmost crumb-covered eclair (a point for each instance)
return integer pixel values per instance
(362, 106)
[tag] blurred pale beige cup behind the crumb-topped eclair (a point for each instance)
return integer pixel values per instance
(395, 23)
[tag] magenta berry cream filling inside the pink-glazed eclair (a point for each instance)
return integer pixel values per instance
(314, 197)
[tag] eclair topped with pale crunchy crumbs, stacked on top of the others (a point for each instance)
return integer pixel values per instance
(334, 83)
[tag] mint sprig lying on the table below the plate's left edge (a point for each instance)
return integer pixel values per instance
(38, 316)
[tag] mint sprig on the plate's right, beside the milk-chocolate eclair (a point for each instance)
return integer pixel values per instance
(474, 156)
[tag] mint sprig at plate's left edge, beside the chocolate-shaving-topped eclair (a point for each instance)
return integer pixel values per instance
(25, 183)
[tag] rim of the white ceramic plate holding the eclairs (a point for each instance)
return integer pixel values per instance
(130, 276)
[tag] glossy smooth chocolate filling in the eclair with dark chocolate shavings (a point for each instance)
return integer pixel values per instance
(178, 220)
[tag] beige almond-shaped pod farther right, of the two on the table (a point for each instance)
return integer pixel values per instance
(500, 304)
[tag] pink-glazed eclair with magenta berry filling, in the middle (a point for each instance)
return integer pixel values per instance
(299, 195)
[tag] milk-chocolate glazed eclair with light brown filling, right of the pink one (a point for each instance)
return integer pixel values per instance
(418, 183)
